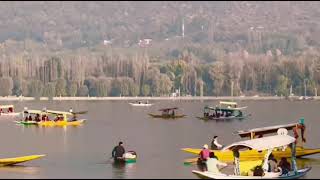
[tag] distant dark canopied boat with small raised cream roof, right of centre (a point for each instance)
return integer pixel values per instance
(224, 111)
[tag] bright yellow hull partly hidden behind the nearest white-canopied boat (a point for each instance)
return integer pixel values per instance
(251, 155)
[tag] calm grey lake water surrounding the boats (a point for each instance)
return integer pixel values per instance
(83, 152)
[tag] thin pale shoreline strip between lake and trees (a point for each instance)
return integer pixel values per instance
(183, 98)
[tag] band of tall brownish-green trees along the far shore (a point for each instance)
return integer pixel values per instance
(134, 72)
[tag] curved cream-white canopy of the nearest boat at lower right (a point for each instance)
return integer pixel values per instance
(263, 143)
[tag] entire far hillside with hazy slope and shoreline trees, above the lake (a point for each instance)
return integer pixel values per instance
(152, 48)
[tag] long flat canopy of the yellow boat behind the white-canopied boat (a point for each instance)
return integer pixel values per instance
(265, 130)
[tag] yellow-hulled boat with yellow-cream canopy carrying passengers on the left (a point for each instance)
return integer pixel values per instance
(61, 118)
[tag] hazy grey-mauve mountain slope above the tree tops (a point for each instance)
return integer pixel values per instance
(251, 25)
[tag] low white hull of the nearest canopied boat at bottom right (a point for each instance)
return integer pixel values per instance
(208, 175)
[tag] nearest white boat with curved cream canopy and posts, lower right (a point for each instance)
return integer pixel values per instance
(266, 144)
